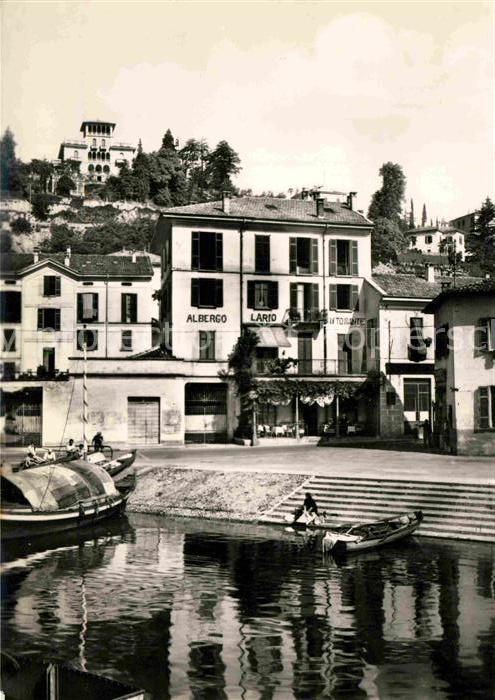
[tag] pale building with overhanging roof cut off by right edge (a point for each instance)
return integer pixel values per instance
(465, 368)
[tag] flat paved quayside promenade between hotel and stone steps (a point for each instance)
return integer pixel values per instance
(335, 461)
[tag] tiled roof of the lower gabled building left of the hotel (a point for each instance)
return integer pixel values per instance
(87, 265)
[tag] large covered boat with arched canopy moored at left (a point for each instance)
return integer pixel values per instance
(63, 496)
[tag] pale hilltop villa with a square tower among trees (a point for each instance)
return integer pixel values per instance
(96, 155)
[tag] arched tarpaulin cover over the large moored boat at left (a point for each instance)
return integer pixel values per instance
(49, 488)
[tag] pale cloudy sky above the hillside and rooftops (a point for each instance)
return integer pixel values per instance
(308, 93)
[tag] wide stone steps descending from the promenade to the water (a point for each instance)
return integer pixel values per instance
(452, 510)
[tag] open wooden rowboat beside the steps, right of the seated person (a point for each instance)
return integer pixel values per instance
(358, 538)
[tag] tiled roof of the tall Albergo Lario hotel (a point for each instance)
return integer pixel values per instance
(274, 208)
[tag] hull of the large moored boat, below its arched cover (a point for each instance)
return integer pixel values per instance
(23, 522)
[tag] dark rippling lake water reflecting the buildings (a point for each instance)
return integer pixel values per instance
(198, 609)
